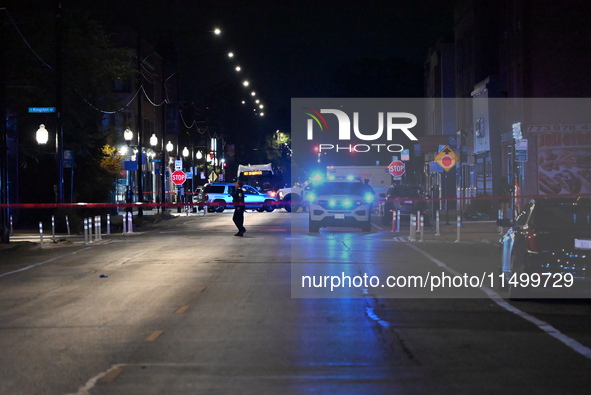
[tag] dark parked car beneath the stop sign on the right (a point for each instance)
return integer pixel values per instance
(409, 199)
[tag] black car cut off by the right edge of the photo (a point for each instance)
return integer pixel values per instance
(551, 235)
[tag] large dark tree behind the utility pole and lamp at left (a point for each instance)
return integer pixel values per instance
(90, 65)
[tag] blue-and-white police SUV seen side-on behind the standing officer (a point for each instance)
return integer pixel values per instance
(219, 197)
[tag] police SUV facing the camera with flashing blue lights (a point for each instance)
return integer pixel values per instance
(340, 203)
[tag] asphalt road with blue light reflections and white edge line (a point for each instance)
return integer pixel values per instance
(187, 308)
